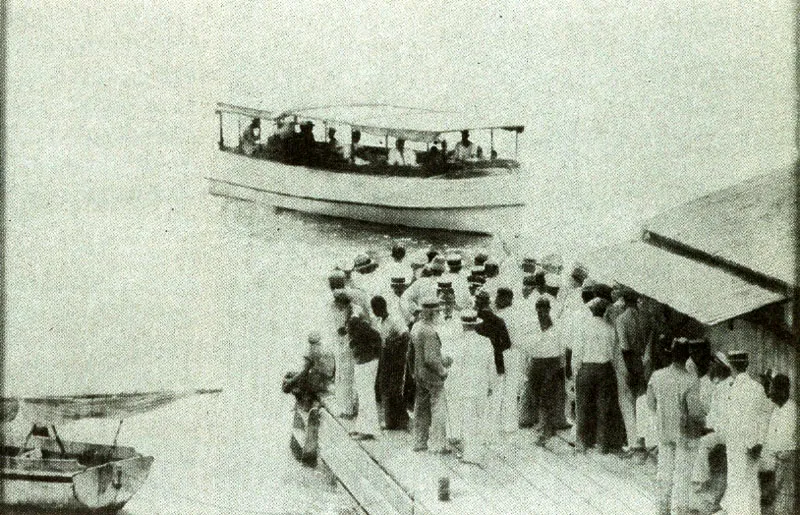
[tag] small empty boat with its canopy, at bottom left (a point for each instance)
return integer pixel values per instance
(46, 473)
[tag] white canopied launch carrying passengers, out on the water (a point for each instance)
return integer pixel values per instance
(428, 186)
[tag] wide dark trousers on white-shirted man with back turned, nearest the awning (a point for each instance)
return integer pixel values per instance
(596, 397)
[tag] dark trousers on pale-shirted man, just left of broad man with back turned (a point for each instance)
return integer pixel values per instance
(541, 394)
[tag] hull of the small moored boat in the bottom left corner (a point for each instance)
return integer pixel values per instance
(66, 486)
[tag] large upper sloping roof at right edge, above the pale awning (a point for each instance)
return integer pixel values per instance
(750, 225)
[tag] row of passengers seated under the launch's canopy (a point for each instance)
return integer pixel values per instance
(295, 143)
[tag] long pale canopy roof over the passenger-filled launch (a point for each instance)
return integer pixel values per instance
(409, 123)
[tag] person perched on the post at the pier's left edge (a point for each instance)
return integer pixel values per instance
(314, 377)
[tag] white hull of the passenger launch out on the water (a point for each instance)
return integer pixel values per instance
(478, 205)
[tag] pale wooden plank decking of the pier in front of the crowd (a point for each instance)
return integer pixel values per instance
(386, 476)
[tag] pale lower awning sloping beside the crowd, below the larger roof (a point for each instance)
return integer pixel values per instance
(705, 293)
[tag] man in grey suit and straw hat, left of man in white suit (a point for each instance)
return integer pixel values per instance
(430, 372)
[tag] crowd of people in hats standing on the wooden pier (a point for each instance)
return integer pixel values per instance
(462, 352)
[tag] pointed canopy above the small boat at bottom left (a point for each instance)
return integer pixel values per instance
(54, 410)
